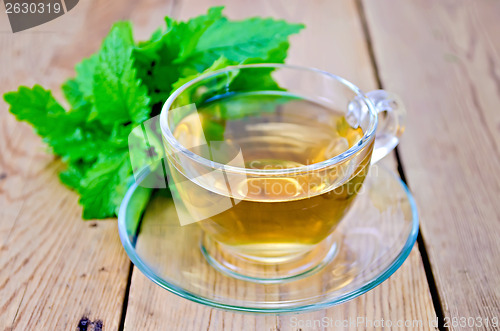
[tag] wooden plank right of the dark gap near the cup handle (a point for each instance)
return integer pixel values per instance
(442, 57)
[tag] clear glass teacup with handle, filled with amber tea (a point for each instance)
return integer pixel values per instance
(267, 159)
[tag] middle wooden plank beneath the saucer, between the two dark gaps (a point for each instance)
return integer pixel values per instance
(334, 41)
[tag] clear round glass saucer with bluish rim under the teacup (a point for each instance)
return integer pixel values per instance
(373, 240)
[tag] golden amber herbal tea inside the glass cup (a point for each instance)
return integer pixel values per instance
(279, 215)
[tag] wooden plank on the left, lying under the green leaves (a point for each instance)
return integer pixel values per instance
(54, 267)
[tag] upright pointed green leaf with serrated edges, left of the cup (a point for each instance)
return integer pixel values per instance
(118, 94)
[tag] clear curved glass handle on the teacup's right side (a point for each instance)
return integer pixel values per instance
(391, 122)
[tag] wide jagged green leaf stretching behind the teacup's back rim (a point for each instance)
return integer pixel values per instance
(188, 48)
